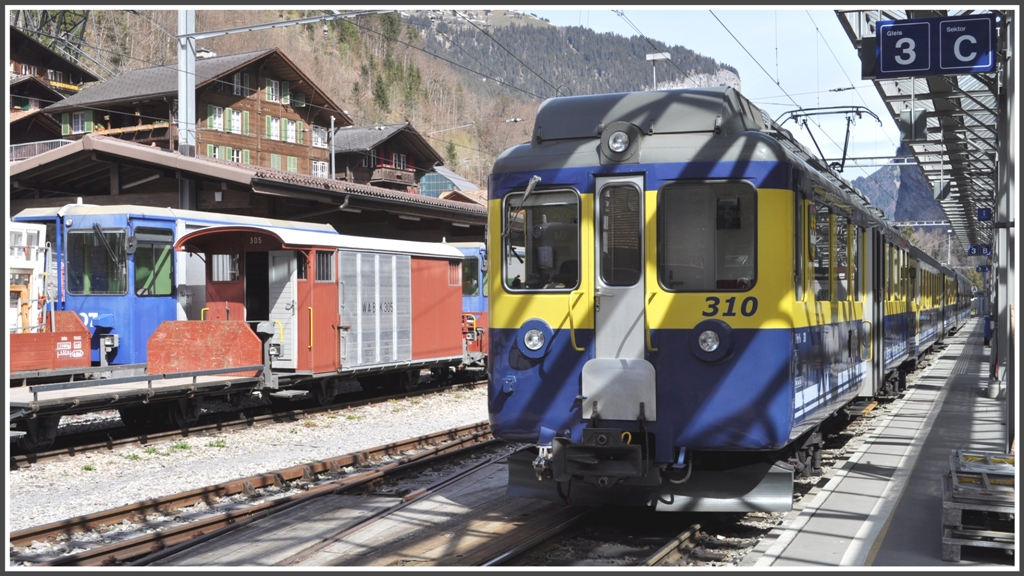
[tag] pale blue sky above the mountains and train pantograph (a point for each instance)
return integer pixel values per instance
(786, 58)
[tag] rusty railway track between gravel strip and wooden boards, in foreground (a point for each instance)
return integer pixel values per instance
(191, 518)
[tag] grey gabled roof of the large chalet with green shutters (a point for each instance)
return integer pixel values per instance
(160, 81)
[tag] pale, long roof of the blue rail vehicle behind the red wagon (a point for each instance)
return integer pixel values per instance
(168, 214)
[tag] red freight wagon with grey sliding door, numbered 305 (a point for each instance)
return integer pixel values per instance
(320, 305)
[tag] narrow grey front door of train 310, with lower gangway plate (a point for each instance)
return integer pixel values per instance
(619, 383)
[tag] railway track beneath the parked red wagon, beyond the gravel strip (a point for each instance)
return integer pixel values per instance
(214, 424)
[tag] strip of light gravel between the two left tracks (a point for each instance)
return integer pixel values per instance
(99, 481)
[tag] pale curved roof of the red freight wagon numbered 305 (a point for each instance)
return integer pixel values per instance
(292, 239)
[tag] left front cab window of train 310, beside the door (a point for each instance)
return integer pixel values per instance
(541, 237)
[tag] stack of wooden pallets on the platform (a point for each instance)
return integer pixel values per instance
(977, 503)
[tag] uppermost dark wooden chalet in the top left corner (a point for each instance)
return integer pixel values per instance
(30, 58)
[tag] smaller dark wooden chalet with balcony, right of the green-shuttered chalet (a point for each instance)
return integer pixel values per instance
(393, 156)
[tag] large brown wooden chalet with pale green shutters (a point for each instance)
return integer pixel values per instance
(253, 108)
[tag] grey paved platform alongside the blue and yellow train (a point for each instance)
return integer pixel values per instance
(886, 507)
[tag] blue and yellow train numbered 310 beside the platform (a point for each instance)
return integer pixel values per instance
(681, 295)
